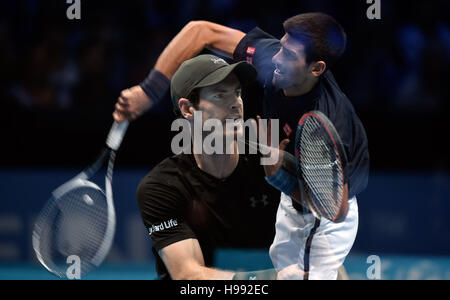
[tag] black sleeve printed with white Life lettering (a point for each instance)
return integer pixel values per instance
(162, 210)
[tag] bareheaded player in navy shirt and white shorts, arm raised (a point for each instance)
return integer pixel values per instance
(295, 75)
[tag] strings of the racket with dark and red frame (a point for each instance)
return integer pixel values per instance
(320, 166)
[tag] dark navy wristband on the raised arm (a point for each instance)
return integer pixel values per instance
(155, 86)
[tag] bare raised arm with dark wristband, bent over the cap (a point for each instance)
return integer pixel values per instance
(191, 40)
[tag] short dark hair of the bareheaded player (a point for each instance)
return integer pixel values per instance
(323, 37)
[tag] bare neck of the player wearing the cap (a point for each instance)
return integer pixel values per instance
(218, 165)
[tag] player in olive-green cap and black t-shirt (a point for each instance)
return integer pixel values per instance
(194, 203)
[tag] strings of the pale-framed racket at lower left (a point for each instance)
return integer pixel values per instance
(73, 224)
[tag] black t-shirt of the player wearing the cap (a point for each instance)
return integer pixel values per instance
(178, 201)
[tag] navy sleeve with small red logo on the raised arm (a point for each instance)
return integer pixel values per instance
(258, 48)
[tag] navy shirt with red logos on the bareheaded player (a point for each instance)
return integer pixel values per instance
(258, 47)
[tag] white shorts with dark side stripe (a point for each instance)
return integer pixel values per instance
(307, 248)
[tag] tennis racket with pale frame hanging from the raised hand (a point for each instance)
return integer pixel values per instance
(79, 218)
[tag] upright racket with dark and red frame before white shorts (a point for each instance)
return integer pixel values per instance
(321, 167)
